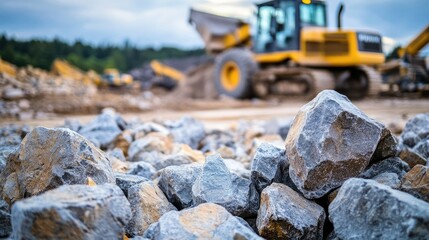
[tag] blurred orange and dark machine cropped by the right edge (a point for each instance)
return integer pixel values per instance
(410, 72)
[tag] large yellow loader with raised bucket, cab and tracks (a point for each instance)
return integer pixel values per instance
(290, 51)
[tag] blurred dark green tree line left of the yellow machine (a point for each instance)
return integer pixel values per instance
(41, 53)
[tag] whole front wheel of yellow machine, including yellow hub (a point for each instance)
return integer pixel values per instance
(233, 72)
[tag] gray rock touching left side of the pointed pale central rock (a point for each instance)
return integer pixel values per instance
(176, 183)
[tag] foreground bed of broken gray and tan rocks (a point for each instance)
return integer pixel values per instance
(331, 173)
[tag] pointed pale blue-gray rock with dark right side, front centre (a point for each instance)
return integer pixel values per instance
(217, 185)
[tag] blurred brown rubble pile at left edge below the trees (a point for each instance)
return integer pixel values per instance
(29, 83)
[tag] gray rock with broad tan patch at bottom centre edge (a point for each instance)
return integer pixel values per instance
(206, 221)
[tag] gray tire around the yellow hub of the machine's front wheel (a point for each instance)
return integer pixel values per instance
(243, 59)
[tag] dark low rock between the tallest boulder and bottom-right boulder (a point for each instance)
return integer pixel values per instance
(390, 165)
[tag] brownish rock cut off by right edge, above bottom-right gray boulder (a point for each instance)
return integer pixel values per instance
(416, 182)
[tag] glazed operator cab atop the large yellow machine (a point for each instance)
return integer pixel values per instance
(279, 23)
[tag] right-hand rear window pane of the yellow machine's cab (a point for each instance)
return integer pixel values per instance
(313, 15)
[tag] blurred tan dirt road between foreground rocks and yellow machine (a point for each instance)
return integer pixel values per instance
(224, 114)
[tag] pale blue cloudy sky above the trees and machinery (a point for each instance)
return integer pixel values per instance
(164, 22)
